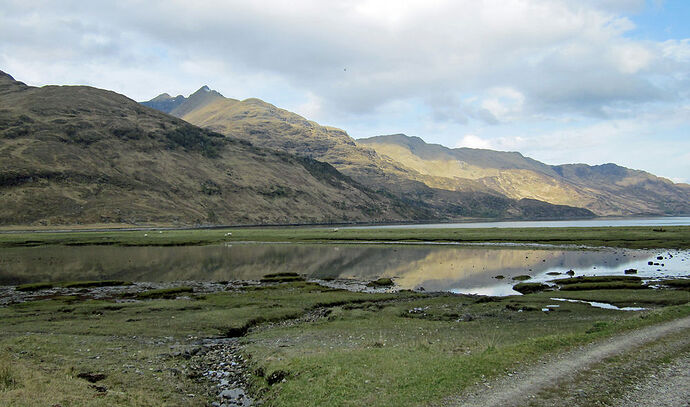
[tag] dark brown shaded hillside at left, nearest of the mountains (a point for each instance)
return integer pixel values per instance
(81, 155)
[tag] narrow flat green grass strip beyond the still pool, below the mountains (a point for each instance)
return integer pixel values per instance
(675, 237)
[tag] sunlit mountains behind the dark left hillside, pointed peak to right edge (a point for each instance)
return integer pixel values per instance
(450, 183)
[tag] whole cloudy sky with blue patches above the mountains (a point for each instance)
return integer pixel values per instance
(561, 81)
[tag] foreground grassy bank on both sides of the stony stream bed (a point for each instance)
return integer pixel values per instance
(325, 346)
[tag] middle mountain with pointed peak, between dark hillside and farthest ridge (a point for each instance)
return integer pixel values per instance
(266, 125)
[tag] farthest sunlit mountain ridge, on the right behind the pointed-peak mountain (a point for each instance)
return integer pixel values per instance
(606, 189)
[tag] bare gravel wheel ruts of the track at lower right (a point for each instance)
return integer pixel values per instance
(519, 389)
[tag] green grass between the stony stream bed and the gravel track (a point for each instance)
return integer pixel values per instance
(380, 357)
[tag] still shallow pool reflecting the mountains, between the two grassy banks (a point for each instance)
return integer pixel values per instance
(460, 269)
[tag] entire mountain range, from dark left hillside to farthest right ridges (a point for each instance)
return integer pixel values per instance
(81, 155)
